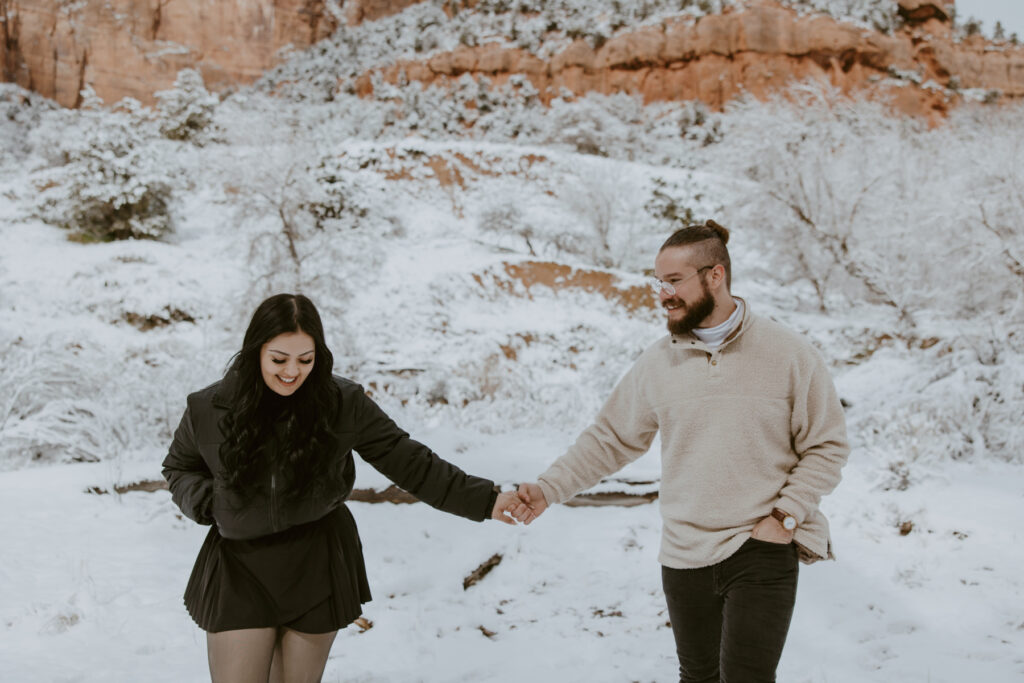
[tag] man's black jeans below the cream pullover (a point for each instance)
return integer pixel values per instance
(731, 620)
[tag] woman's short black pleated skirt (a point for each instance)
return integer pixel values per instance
(311, 578)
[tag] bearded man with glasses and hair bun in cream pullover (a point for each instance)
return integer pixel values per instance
(753, 436)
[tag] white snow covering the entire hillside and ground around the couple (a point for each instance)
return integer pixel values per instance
(421, 307)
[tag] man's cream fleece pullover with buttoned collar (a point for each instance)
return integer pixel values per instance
(752, 425)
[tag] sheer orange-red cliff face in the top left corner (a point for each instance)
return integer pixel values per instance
(133, 49)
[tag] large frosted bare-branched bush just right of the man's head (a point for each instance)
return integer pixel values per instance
(843, 192)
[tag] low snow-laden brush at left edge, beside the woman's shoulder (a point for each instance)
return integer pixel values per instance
(64, 404)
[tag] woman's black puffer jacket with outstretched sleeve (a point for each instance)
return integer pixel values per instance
(194, 473)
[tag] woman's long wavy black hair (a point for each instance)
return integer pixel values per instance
(305, 441)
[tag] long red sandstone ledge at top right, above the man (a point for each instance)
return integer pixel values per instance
(759, 51)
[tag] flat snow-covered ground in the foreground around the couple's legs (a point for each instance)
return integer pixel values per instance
(94, 584)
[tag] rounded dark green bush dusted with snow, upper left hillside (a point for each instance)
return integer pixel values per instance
(110, 181)
